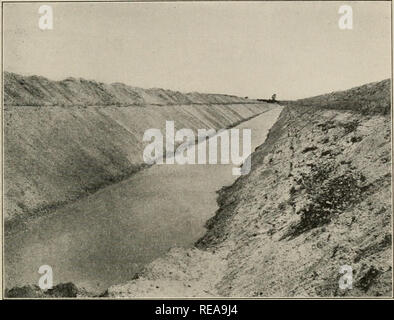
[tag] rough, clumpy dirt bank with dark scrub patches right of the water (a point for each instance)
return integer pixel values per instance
(318, 197)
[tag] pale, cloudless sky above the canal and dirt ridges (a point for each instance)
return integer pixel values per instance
(254, 49)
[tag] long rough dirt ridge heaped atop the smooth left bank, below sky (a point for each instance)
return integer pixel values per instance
(39, 91)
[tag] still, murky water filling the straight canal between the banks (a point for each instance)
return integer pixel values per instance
(106, 238)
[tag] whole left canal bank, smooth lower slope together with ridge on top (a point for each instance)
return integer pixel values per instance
(54, 155)
